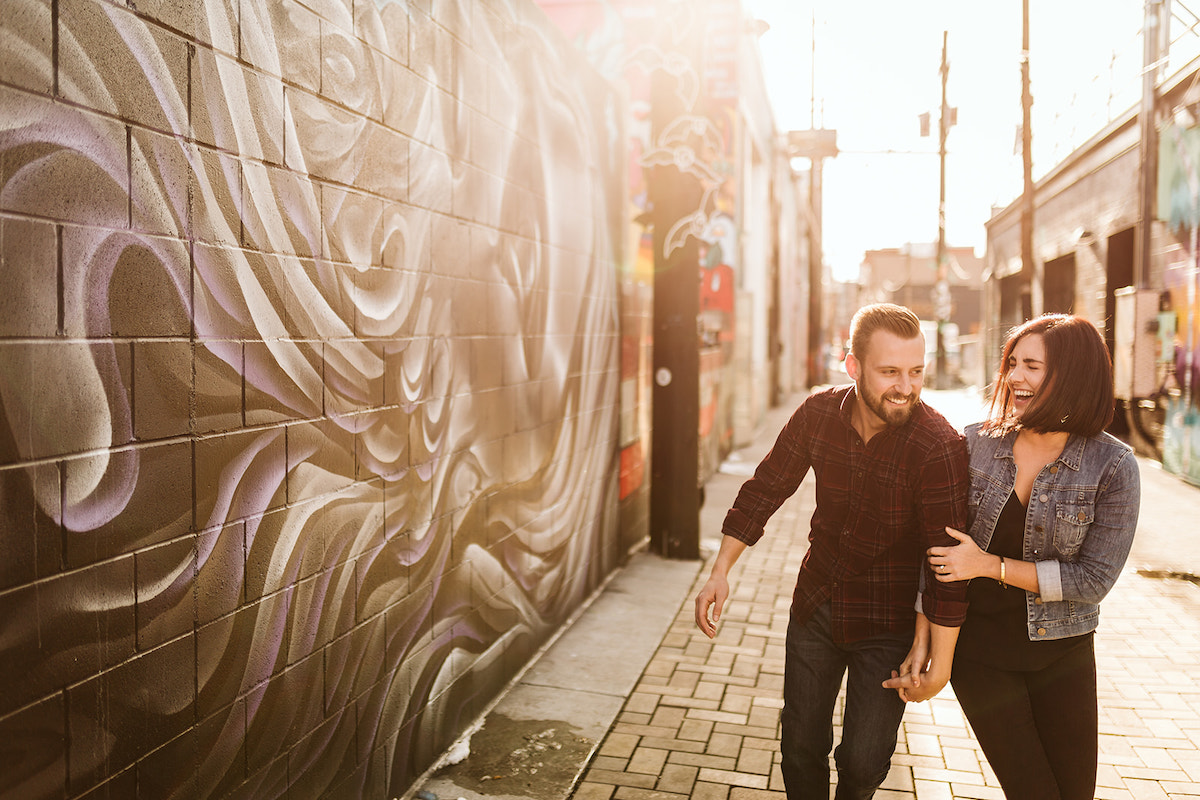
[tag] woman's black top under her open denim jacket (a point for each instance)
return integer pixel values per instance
(997, 629)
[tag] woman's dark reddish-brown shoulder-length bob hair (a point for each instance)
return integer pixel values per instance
(1077, 395)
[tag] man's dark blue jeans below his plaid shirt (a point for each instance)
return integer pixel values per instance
(813, 676)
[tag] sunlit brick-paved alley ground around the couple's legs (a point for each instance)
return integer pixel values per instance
(703, 721)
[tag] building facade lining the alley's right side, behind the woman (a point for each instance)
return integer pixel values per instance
(1085, 262)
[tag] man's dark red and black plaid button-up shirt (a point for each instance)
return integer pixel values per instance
(879, 507)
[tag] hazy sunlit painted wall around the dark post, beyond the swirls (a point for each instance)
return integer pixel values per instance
(697, 43)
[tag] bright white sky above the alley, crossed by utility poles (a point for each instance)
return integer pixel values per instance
(878, 70)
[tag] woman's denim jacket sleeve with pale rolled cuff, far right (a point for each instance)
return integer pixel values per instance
(1089, 578)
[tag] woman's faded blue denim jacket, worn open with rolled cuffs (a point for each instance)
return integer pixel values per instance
(1079, 527)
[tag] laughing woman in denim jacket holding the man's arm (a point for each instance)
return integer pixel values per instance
(1052, 512)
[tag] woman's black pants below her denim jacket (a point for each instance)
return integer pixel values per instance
(1039, 730)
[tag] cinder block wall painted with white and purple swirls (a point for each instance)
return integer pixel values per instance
(309, 377)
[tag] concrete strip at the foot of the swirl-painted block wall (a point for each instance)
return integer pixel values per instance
(538, 738)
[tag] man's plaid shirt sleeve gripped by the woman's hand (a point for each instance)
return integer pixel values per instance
(944, 504)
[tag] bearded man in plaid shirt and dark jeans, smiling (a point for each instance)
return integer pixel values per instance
(892, 476)
